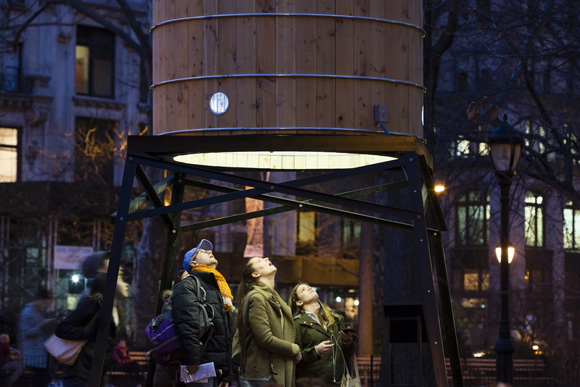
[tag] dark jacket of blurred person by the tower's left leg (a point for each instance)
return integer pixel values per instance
(73, 327)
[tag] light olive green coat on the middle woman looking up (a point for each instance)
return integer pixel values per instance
(270, 337)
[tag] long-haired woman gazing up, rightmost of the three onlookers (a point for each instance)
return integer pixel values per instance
(321, 335)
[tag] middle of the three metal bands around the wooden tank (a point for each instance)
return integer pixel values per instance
(358, 77)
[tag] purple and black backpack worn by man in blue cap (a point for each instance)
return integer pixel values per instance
(163, 335)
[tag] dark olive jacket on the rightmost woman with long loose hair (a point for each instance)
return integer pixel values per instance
(309, 333)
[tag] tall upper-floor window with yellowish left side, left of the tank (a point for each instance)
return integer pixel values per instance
(95, 58)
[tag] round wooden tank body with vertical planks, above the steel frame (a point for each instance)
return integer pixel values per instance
(291, 66)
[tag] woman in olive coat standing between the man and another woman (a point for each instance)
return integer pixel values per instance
(265, 331)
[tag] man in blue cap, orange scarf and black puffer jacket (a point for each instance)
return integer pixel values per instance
(215, 345)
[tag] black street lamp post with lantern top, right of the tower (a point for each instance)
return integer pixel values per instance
(505, 147)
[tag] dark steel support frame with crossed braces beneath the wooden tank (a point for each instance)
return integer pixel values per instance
(424, 219)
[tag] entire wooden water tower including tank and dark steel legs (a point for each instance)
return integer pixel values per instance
(332, 86)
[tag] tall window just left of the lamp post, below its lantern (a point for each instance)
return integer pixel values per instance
(472, 219)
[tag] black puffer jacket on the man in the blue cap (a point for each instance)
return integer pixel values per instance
(185, 317)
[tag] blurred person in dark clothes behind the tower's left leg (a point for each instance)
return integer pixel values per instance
(77, 326)
